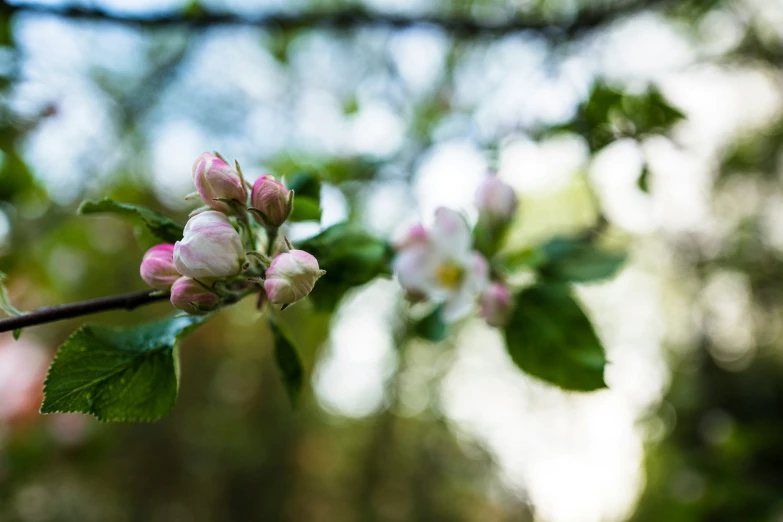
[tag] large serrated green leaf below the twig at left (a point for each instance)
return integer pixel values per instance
(118, 375)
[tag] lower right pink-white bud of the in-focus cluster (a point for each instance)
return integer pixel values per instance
(291, 277)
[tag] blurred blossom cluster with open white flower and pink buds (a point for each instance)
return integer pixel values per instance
(441, 264)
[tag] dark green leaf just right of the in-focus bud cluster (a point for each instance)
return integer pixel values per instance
(350, 256)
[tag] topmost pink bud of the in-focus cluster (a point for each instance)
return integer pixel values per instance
(215, 179)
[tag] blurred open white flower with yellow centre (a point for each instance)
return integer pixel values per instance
(442, 266)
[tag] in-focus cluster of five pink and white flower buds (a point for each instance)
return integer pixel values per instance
(216, 261)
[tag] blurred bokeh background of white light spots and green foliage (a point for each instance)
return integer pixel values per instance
(662, 118)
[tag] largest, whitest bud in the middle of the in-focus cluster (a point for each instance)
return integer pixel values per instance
(210, 247)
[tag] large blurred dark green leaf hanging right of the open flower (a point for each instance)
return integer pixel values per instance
(551, 338)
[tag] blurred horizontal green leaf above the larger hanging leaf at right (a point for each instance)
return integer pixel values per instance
(578, 260)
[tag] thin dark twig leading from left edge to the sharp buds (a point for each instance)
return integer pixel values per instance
(51, 314)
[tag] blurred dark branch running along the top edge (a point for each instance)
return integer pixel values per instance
(353, 18)
